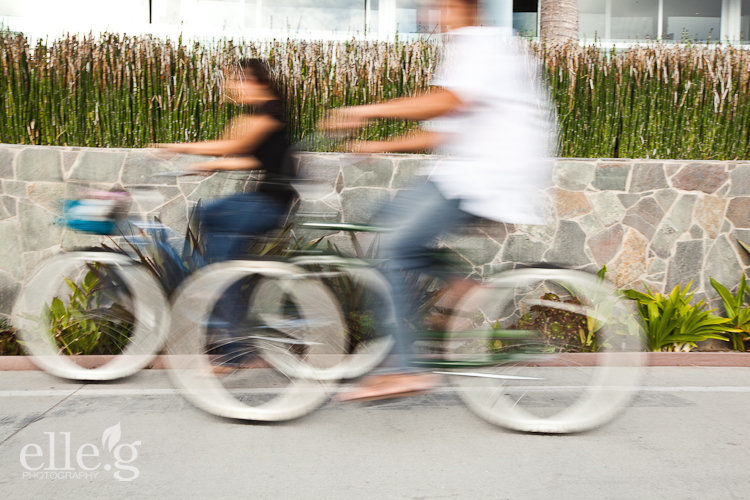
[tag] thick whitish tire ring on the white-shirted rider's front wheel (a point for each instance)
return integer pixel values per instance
(265, 393)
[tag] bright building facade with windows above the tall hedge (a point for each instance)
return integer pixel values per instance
(599, 20)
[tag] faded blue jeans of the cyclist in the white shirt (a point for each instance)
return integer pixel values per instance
(416, 219)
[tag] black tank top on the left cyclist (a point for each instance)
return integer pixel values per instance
(274, 155)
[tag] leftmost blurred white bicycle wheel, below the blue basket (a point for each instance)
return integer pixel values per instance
(89, 303)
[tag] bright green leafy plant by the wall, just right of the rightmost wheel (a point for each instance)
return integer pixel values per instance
(672, 323)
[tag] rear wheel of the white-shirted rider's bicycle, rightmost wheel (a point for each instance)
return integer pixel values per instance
(545, 350)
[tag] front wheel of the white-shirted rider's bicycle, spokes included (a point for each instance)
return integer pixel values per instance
(248, 372)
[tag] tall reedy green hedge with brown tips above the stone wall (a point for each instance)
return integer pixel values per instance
(114, 91)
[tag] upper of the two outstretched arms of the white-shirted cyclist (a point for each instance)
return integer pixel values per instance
(437, 102)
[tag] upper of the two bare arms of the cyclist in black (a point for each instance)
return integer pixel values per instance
(252, 132)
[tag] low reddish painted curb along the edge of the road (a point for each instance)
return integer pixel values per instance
(716, 359)
